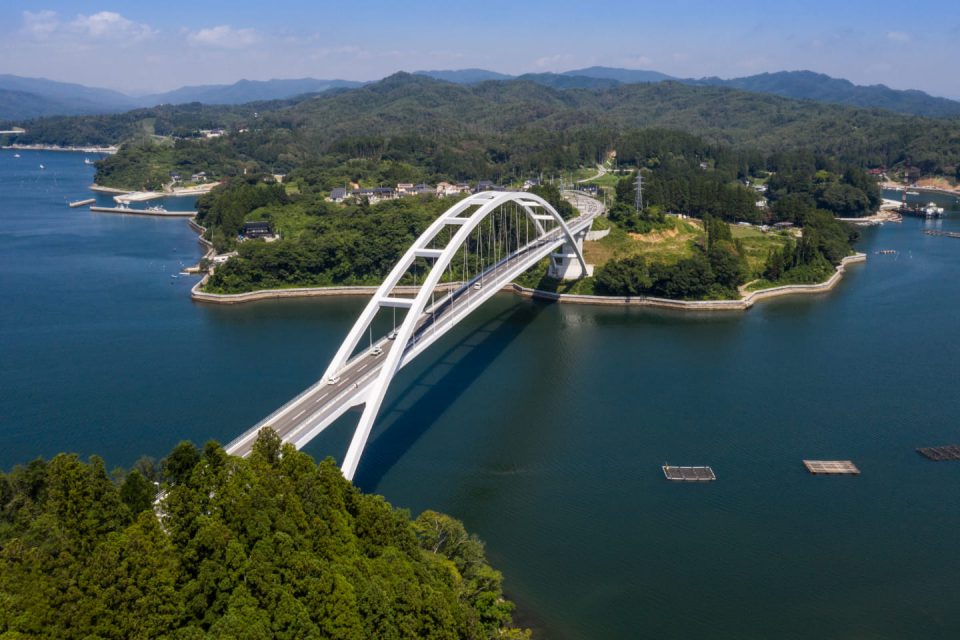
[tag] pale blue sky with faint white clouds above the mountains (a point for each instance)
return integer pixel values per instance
(148, 46)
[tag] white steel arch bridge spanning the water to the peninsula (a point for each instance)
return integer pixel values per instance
(463, 258)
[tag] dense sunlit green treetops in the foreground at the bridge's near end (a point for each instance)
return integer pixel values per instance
(272, 546)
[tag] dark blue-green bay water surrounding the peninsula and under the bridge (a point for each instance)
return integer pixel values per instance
(544, 426)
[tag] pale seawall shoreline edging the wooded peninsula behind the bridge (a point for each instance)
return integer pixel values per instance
(742, 304)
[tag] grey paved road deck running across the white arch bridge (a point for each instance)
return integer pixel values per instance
(331, 398)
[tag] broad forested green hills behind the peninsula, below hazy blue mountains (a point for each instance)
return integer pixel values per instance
(516, 127)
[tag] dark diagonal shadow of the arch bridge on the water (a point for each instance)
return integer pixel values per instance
(442, 381)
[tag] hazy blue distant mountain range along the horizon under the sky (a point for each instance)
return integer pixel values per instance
(24, 98)
